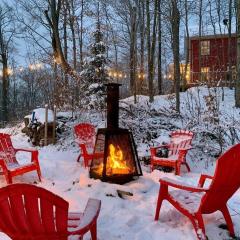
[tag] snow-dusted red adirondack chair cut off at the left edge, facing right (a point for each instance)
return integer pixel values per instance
(8, 162)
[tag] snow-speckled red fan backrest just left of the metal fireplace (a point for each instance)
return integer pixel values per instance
(85, 134)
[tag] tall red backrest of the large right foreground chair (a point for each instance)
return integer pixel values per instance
(226, 181)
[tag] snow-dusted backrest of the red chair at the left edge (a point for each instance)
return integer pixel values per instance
(7, 151)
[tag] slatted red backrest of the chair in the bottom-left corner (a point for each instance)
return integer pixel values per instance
(31, 212)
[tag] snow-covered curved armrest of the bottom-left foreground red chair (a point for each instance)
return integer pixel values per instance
(89, 217)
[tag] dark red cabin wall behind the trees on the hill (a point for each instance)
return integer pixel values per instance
(217, 60)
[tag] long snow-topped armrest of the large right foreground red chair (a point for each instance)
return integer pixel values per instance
(180, 185)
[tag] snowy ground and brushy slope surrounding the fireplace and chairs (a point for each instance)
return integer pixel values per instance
(132, 217)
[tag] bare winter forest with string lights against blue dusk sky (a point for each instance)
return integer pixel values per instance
(47, 45)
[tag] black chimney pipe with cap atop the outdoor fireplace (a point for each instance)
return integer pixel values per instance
(112, 105)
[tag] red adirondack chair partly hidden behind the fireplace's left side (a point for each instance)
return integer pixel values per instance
(85, 137)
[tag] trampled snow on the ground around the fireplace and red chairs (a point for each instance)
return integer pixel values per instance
(131, 218)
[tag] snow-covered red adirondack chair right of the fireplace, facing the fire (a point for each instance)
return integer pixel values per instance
(178, 147)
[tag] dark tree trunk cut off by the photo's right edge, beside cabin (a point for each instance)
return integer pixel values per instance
(237, 93)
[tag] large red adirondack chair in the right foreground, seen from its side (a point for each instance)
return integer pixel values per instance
(195, 201)
